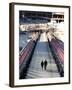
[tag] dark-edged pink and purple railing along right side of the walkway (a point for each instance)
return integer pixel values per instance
(58, 55)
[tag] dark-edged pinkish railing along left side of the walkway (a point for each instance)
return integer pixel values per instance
(25, 57)
